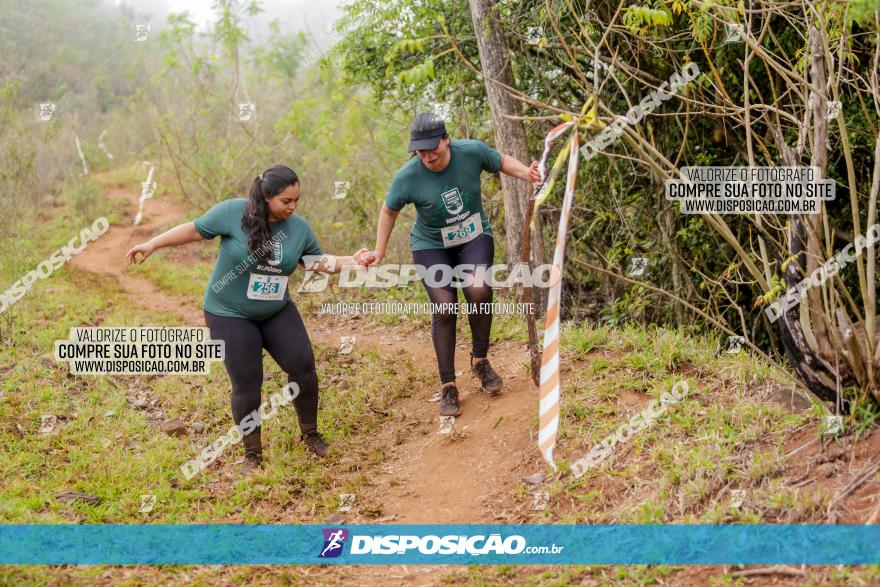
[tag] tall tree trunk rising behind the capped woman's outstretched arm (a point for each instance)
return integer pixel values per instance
(510, 137)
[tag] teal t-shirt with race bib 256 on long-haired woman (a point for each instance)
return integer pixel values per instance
(241, 286)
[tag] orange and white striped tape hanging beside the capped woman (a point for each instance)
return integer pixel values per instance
(548, 406)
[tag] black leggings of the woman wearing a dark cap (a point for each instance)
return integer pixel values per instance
(480, 251)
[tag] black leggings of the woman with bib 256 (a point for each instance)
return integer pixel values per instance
(284, 336)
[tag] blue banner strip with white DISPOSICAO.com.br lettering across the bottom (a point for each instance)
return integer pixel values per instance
(438, 544)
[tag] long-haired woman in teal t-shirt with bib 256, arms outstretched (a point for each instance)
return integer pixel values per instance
(247, 303)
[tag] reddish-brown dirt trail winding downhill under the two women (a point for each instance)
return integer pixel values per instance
(427, 478)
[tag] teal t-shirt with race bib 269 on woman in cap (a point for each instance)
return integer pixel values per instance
(449, 210)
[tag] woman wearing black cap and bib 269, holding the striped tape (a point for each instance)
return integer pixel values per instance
(443, 183)
